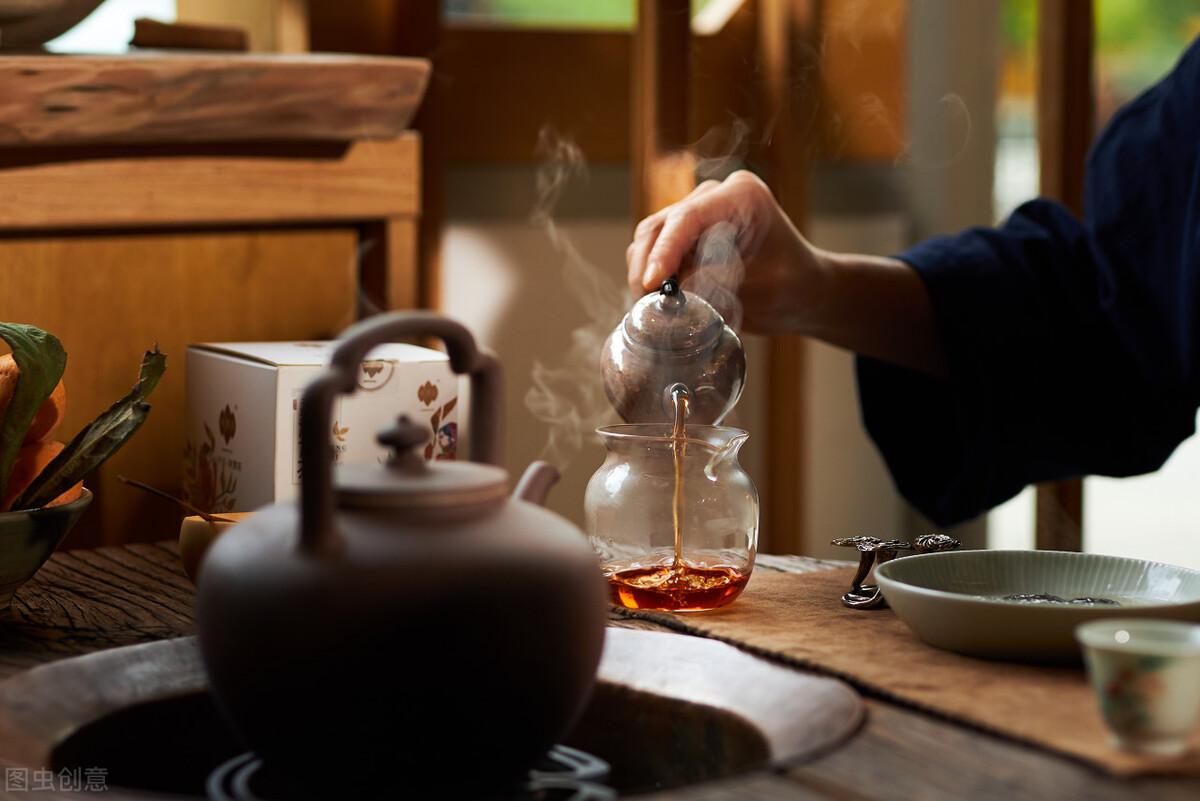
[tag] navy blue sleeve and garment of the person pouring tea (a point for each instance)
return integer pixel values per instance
(1072, 345)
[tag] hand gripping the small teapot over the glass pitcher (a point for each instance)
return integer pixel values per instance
(784, 276)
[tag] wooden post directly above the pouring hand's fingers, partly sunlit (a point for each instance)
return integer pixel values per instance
(663, 171)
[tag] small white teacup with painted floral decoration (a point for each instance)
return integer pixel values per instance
(1147, 676)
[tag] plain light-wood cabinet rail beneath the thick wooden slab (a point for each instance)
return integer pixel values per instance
(272, 184)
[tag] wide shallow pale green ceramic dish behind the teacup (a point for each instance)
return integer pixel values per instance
(967, 601)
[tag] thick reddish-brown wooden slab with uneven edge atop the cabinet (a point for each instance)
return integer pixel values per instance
(206, 98)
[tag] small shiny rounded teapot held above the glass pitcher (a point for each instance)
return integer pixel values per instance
(670, 339)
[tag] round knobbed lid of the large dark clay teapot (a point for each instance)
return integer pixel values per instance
(409, 481)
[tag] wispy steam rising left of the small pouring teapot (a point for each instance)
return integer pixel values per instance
(571, 399)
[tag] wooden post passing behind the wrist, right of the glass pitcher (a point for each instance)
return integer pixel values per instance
(788, 89)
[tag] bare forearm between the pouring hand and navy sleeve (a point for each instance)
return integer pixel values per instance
(878, 308)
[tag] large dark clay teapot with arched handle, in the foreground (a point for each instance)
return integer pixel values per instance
(405, 627)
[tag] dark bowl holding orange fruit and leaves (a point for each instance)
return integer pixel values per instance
(29, 538)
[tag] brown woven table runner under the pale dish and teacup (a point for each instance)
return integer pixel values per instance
(799, 619)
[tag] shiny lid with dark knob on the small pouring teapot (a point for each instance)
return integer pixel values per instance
(673, 320)
